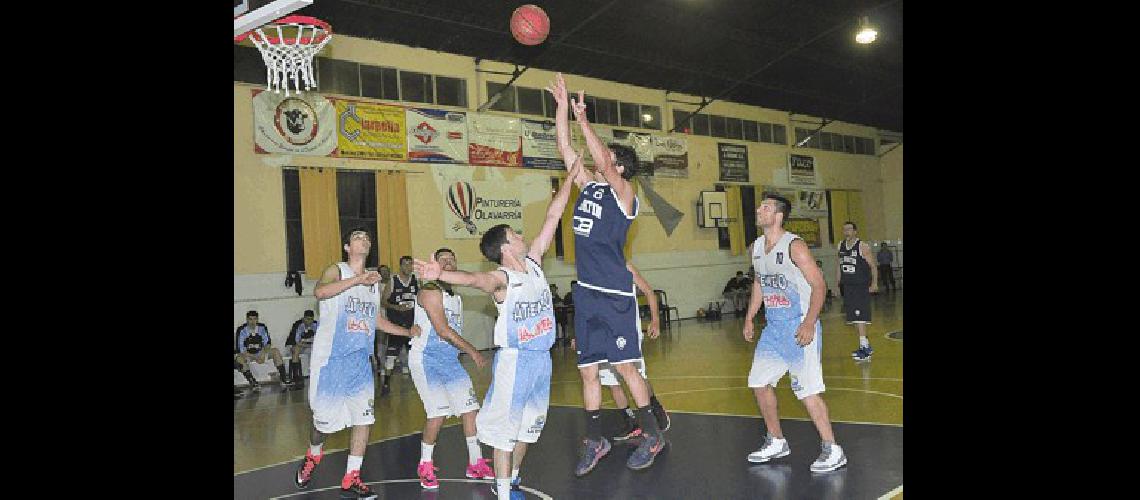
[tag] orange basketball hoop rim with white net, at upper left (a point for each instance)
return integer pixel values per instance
(289, 48)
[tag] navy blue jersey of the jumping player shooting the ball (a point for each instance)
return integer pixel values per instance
(600, 229)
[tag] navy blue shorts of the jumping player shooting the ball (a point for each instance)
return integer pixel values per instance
(606, 327)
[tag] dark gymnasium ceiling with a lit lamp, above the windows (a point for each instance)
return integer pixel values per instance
(797, 56)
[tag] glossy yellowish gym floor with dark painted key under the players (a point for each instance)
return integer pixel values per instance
(699, 371)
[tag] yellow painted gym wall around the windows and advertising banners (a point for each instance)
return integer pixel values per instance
(259, 229)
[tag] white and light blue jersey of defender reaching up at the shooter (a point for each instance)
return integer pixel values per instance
(526, 317)
